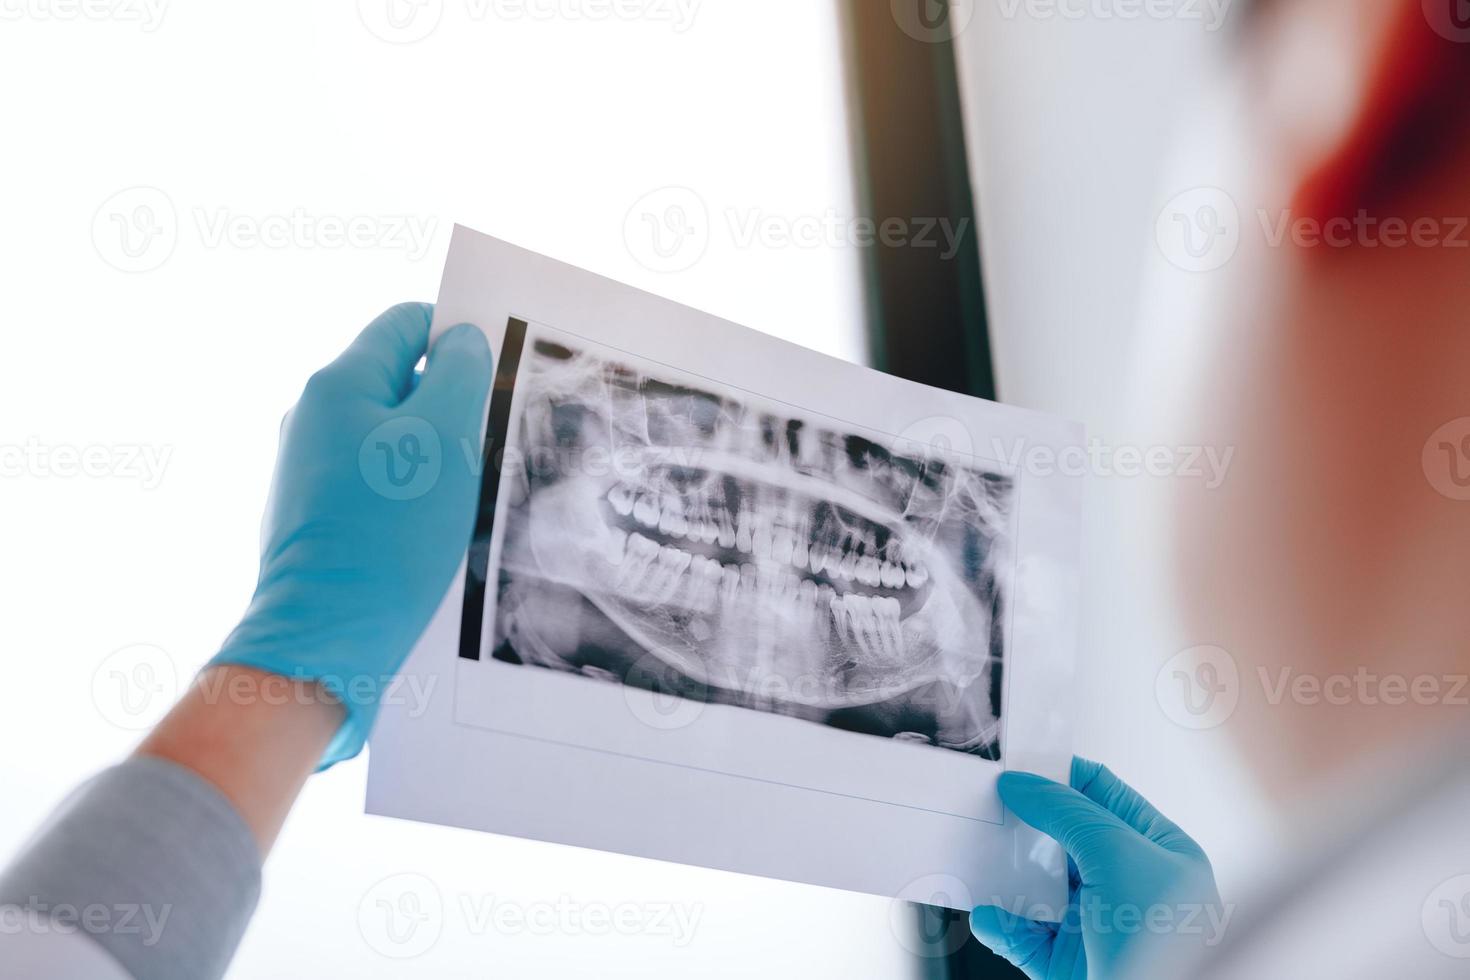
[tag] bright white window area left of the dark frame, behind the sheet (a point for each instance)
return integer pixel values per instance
(545, 133)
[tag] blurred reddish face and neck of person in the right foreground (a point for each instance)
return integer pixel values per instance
(1335, 562)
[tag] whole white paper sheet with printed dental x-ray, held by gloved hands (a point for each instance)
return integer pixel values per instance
(739, 605)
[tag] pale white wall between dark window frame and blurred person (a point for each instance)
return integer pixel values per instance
(1071, 118)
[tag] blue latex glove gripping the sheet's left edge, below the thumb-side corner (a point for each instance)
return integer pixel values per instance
(370, 516)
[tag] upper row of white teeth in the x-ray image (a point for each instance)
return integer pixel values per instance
(768, 540)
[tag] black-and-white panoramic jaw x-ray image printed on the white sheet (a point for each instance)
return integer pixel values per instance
(712, 547)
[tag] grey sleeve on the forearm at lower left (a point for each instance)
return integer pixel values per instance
(152, 863)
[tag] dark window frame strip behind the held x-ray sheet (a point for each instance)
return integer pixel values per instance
(927, 317)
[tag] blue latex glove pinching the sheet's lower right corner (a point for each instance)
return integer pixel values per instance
(1143, 891)
